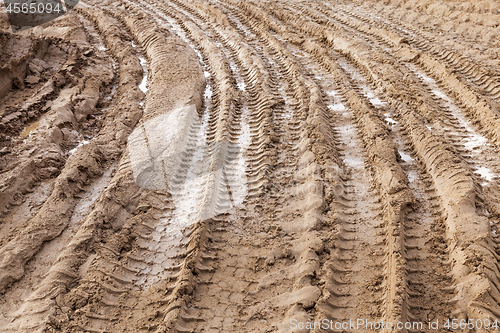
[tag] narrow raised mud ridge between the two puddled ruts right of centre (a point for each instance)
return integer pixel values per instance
(396, 307)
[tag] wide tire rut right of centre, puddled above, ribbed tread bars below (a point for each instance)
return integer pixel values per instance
(353, 285)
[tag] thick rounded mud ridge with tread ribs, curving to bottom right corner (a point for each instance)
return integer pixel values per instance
(437, 163)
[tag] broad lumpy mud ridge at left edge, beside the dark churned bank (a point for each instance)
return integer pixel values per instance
(83, 98)
